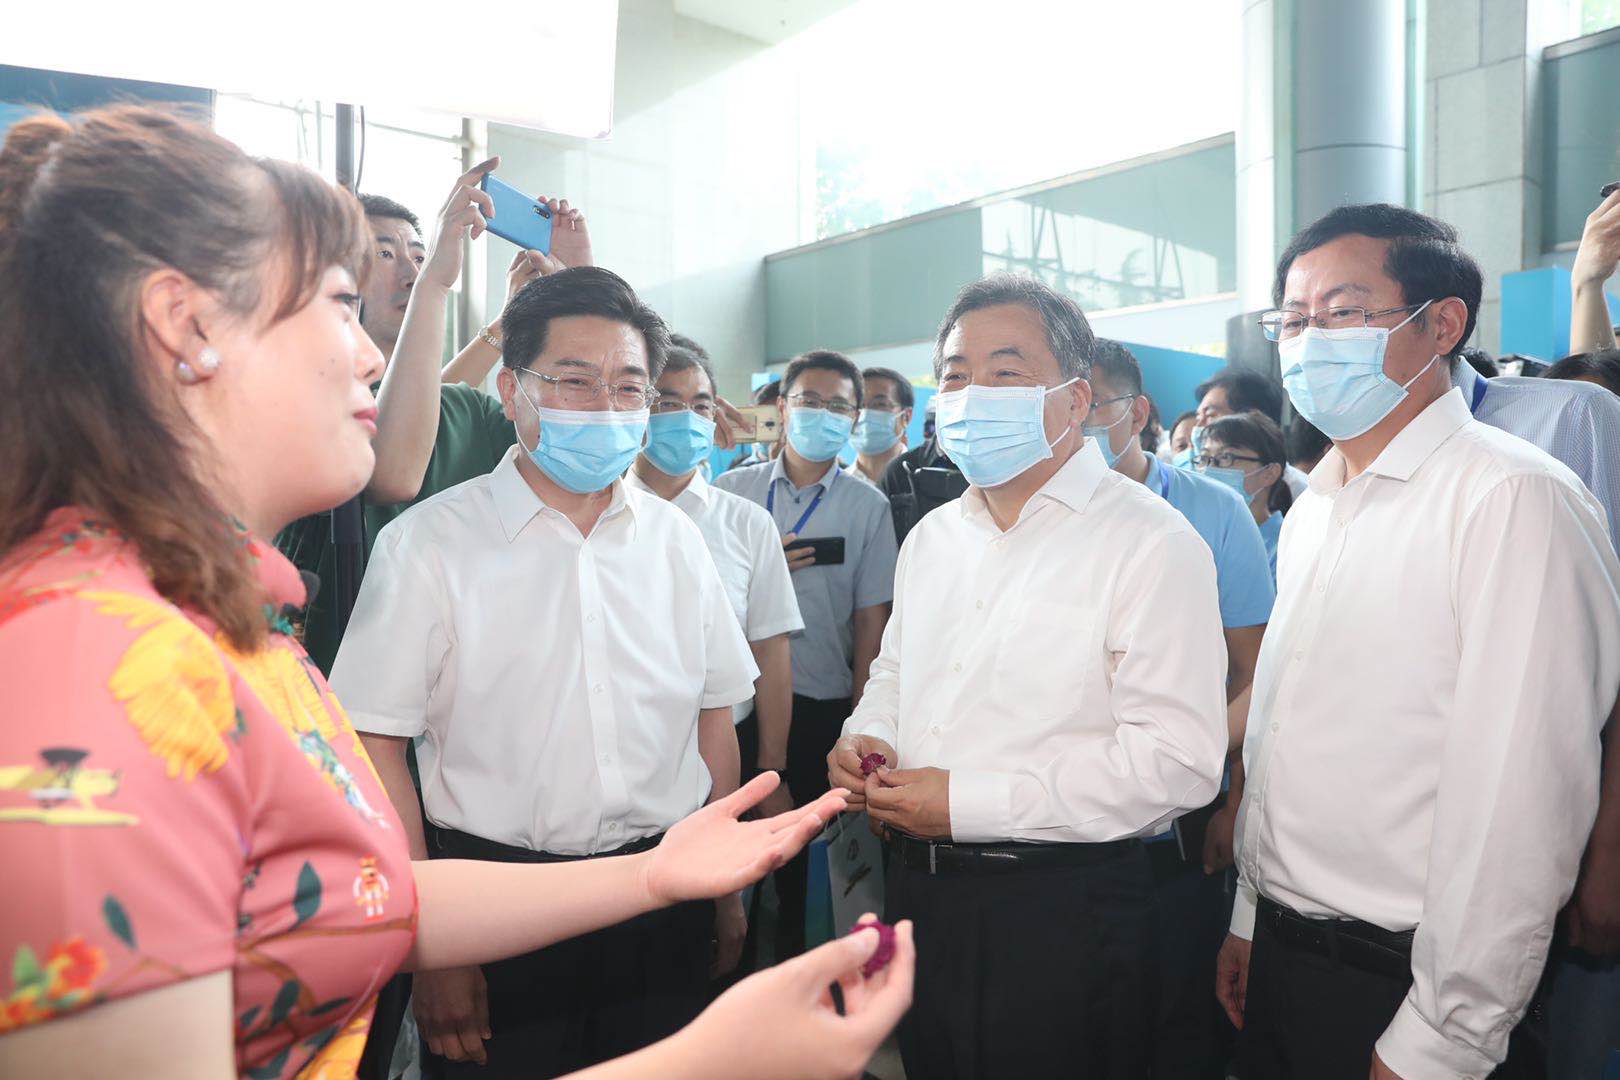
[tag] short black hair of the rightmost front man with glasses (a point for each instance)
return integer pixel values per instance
(1425, 257)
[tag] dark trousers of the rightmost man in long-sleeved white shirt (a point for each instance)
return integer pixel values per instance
(1311, 1016)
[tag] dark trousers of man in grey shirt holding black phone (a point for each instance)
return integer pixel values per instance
(817, 725)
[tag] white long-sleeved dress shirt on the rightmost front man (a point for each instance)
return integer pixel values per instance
(1423, 742)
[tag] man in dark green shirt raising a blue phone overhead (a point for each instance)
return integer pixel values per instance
(435, 427)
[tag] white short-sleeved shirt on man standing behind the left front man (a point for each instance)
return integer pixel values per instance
(748, 555)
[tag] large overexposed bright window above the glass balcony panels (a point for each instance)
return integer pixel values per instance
(918, 104)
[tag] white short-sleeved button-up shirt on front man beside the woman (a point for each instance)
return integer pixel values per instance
(556, 679)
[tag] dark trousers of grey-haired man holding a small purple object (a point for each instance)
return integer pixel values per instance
(1030, 974)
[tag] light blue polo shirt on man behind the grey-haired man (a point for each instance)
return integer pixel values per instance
(1243, 572)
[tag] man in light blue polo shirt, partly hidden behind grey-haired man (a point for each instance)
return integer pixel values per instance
(1190, 1034)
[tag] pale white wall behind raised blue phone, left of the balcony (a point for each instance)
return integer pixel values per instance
(699, 181)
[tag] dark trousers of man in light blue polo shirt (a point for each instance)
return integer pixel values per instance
(1192, 1034)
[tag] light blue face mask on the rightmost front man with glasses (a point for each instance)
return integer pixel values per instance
(1336, 378)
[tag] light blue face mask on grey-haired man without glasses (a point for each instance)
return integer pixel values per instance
(994, 435)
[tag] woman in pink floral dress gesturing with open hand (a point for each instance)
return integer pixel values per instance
(205, 875)
